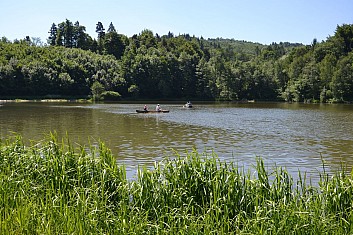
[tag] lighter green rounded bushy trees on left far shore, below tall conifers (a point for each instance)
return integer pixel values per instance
(39, 71)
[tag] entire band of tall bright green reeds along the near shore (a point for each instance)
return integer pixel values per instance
(51, 187)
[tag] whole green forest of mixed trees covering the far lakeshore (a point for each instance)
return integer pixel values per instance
(171, 67)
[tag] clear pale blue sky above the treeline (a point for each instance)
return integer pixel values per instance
(263, 21)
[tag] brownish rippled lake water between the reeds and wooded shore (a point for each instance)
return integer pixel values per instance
(294, 136)
